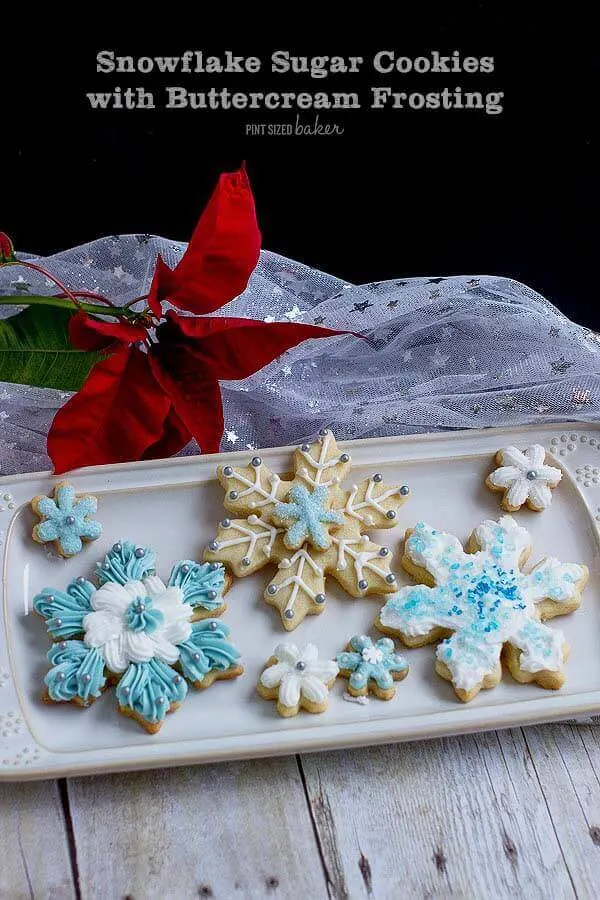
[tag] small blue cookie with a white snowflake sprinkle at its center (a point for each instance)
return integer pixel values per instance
(372, 666)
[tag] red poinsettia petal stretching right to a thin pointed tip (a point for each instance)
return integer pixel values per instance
(231, 348)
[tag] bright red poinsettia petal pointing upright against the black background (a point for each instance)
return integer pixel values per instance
(221, 255)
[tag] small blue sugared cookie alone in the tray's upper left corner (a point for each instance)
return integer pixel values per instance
(64, 519)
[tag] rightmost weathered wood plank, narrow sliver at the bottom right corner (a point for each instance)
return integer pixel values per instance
(567, 759)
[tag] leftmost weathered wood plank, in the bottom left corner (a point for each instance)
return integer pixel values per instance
(34, 849)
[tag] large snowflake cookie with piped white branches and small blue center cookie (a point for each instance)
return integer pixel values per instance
(308, 526)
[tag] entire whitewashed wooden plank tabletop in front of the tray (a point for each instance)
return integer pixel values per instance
(503, 814)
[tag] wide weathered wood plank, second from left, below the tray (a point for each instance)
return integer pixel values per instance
(231, 830)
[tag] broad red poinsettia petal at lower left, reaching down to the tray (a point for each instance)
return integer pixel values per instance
(116, 416)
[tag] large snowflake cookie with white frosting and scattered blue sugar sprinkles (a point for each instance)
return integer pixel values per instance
(482, 604)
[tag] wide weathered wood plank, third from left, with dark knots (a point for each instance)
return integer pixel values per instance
(457, 817)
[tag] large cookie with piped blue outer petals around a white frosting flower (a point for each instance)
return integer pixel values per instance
(134, 630)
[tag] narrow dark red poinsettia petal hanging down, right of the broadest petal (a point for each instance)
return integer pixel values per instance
(195, 394)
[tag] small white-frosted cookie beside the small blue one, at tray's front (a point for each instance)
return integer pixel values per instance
(297, 679)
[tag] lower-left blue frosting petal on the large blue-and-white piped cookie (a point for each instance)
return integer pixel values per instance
(77, 672)
